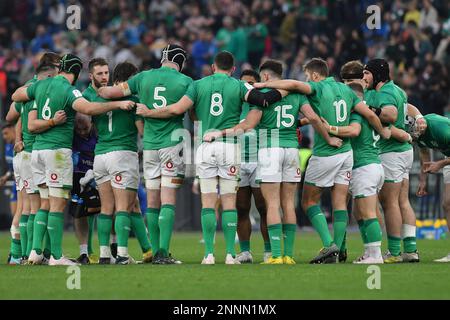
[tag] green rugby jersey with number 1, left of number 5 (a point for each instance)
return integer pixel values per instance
(116, 129)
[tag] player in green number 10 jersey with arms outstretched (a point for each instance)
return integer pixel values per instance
(328, 166)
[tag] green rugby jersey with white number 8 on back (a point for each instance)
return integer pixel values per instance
(218, 101)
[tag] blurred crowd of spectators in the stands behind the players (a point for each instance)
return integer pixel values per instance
(414, 36)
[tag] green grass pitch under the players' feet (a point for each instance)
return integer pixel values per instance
(424, 280)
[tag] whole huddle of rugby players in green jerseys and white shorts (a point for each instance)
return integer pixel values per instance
(362, 150)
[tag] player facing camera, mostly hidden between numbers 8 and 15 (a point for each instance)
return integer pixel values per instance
(248, 186)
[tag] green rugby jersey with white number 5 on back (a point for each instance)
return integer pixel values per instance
(158, 88)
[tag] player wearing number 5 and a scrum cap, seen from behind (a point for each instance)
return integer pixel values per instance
(164, 165)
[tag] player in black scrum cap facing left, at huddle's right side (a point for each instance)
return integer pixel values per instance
(397, 159)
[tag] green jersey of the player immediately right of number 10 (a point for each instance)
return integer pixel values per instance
(365, 145)
